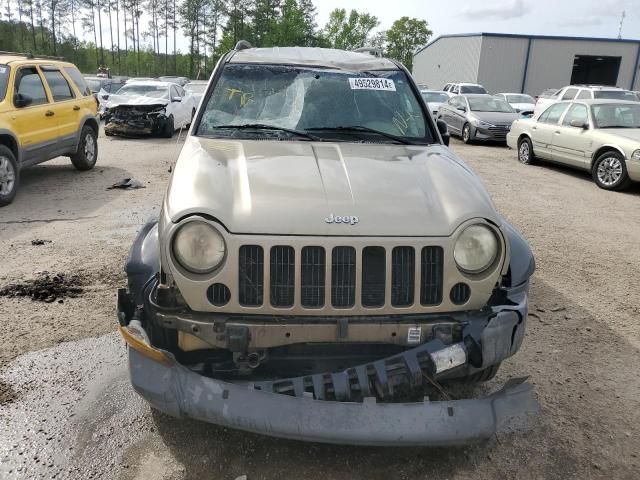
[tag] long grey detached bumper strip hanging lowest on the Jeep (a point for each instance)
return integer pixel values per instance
(177, 391)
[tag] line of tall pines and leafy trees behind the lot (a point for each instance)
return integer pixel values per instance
(140, 37)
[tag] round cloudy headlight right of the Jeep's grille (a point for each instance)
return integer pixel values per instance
(476, 249)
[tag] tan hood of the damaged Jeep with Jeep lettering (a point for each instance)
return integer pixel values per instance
(286, 188)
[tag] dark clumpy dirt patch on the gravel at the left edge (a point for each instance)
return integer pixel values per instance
(46, 288)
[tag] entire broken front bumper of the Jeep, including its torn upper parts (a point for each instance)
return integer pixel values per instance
(304, 414)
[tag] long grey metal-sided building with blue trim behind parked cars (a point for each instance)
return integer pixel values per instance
(527, 63)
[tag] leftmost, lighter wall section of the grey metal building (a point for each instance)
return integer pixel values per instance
(454, 59)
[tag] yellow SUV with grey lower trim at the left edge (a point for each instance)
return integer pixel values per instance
(46, 111)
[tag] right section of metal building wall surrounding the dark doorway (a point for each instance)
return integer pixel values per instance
(551, 61)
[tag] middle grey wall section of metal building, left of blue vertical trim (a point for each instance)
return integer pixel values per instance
(502, 63)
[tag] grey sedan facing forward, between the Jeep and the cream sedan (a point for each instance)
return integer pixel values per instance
(478, 117)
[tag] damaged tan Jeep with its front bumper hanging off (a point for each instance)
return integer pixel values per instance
(323, 262)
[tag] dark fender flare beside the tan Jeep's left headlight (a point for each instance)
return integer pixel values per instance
(143, 261)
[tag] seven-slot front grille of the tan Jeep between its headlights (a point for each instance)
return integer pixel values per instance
(366, 276)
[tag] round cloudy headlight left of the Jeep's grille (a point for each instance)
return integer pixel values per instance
(198, 247)
